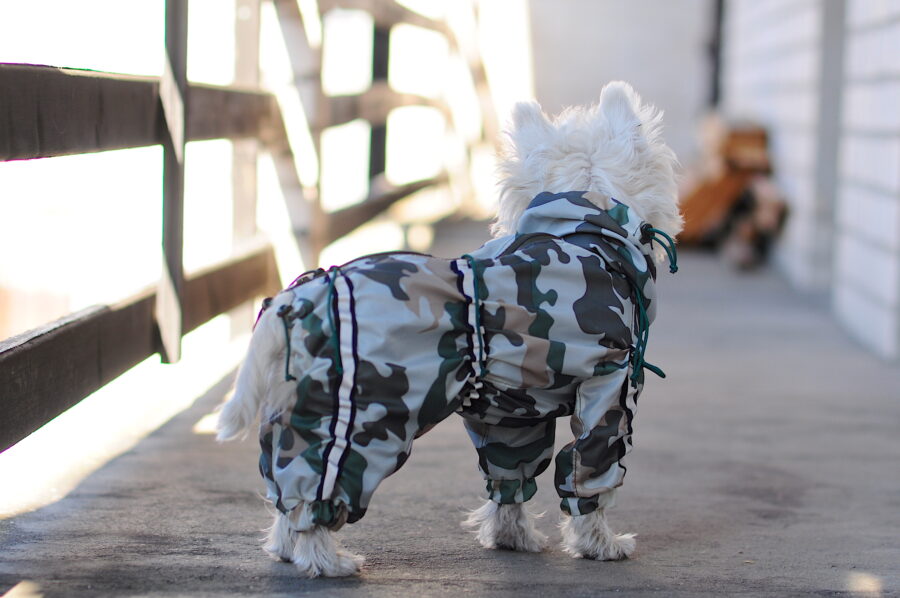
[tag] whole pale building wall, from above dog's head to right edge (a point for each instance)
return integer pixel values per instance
(822, 75)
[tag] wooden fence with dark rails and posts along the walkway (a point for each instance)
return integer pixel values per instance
(49, 111)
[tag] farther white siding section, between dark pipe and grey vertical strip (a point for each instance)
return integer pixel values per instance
(771, 68)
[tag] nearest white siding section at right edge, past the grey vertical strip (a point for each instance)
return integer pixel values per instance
(867, 251)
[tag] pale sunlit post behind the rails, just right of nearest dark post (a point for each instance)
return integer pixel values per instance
(244, 153)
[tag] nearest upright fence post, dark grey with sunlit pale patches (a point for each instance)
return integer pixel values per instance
(173, 98)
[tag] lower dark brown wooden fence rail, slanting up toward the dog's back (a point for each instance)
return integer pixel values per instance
(45, 371)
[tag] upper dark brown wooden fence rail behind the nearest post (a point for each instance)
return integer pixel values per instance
(55, 112)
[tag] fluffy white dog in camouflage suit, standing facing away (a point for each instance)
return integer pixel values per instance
(347, 366)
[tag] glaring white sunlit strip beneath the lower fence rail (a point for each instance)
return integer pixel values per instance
(52, 461)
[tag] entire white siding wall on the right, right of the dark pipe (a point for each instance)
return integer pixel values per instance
(824, 77)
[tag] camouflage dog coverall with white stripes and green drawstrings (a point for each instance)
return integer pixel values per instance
(549, 322)
